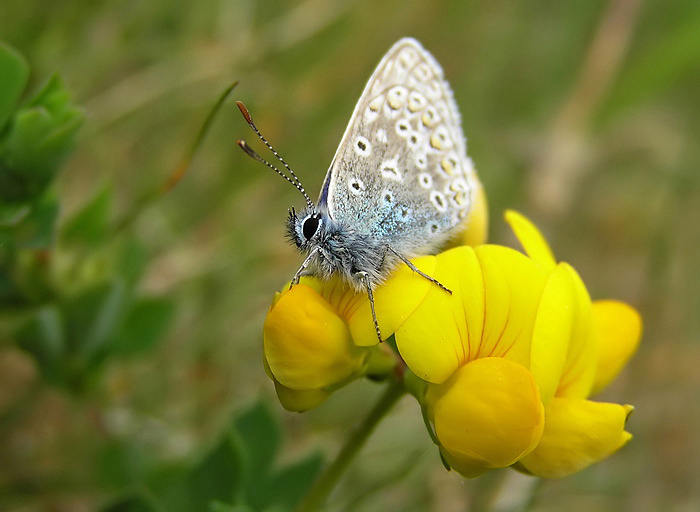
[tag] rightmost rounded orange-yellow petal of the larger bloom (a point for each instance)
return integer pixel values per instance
(619, 329)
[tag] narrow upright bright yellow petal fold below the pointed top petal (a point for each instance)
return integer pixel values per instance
(552, 334)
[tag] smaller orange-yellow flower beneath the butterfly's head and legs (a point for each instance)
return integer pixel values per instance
(319, 335)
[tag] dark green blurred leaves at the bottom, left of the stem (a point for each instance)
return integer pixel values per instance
(239, 474)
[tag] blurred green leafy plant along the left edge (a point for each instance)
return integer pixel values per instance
(71, 329)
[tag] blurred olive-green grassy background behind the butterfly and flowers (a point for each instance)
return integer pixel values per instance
(582, 115)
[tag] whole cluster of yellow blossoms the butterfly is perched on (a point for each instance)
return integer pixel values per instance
(503, 368)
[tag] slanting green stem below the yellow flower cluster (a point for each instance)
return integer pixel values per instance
(329, 478)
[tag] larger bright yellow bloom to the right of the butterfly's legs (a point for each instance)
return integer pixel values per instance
(511, 357)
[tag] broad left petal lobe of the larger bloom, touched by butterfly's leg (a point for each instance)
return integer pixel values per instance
(434, 341)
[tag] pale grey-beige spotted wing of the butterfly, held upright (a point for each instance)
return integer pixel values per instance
(401, 172)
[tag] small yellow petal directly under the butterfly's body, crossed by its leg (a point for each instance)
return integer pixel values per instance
(394, 302)
